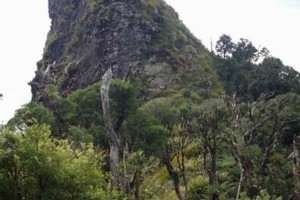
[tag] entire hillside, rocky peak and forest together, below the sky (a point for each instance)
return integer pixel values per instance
(128, 104)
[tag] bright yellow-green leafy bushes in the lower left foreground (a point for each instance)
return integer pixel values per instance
(34, 165)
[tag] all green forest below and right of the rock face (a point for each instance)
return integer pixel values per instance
(191, 140)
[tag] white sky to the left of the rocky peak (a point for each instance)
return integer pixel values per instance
(24, 26)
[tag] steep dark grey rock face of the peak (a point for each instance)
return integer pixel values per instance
(132, 37)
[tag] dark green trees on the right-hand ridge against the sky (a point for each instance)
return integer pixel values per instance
(237, 68)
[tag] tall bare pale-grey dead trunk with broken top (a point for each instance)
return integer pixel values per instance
(113, 137)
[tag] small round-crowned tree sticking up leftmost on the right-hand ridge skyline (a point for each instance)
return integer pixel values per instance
(225, 46)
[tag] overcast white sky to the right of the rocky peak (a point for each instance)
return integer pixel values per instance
(273, 24)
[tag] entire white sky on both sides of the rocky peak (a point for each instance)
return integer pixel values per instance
(24, 25)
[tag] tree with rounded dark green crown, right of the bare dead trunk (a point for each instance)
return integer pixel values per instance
(146, 140)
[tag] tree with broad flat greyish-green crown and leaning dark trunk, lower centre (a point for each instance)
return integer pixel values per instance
(176, 118)
